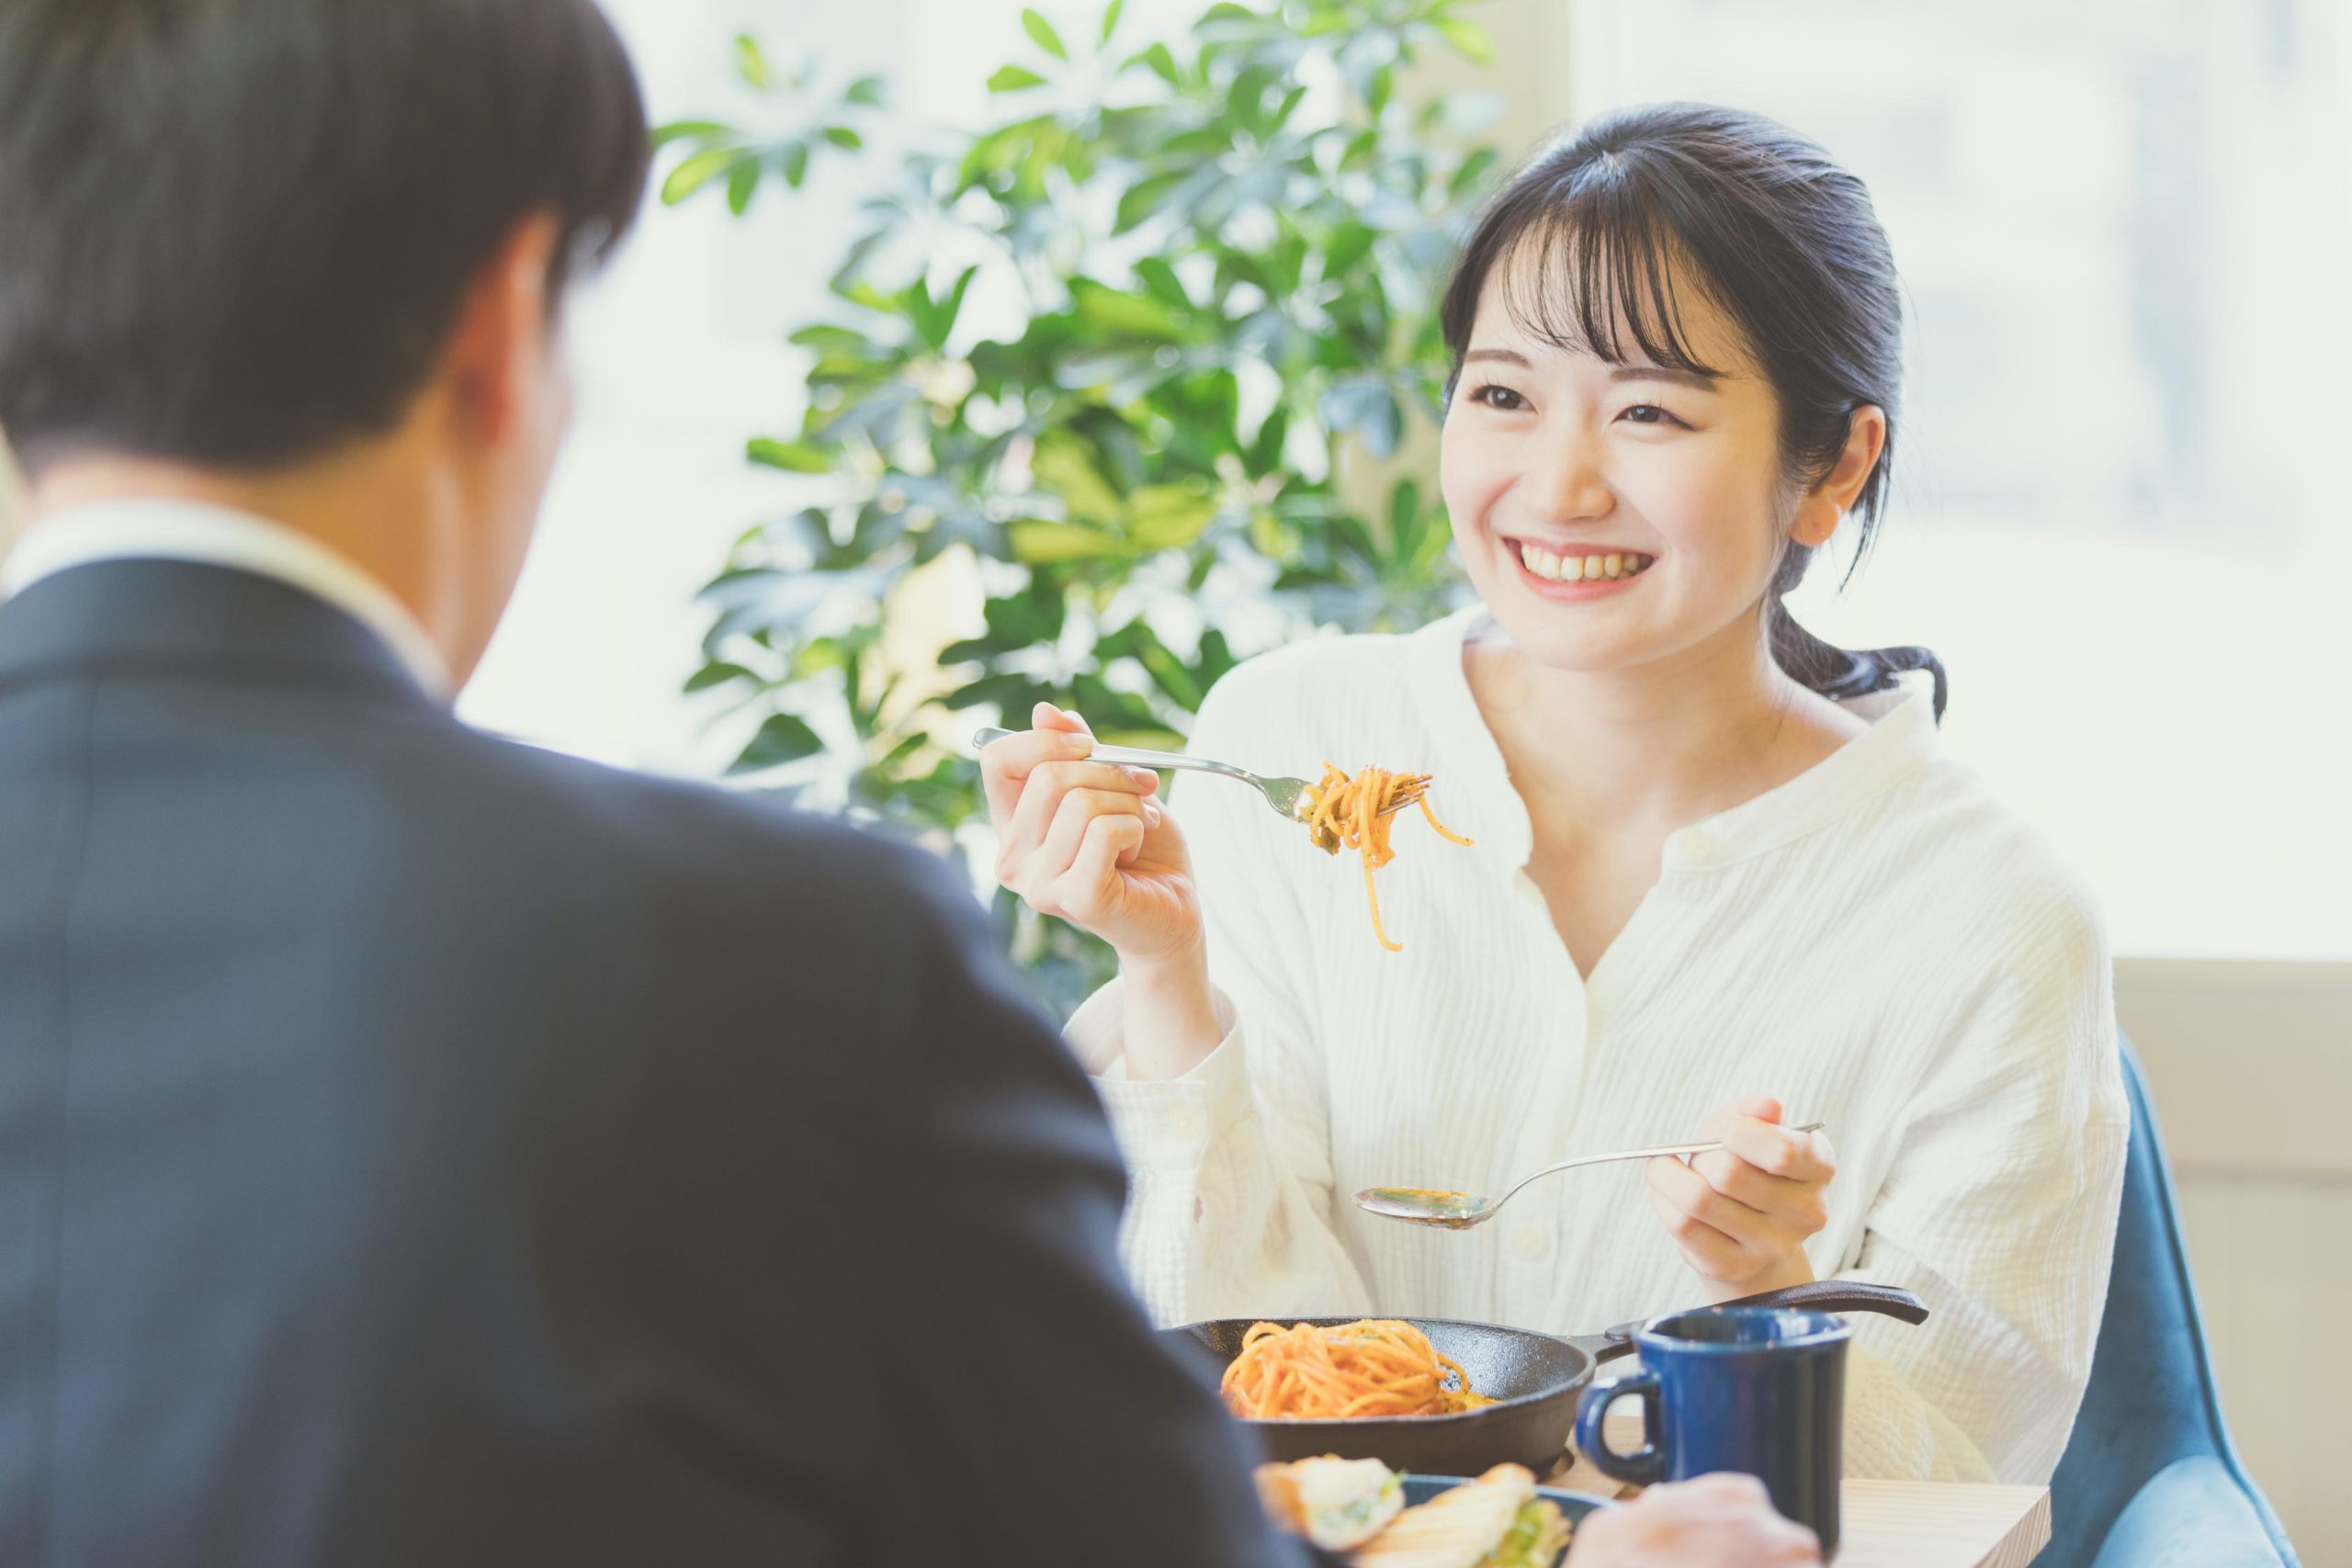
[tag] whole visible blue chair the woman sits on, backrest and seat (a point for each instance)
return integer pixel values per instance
(2151, 1477)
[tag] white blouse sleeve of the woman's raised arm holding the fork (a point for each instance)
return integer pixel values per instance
(1231, 1165)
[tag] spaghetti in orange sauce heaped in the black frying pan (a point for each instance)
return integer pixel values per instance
(1372, 1367)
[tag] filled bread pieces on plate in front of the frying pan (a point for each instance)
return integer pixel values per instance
(1495, 1522)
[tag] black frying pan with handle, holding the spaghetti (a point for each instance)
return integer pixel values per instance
(1532, 1376)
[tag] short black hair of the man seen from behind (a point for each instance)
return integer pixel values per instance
(239, 232)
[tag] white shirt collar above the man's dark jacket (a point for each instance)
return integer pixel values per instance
(168, 530)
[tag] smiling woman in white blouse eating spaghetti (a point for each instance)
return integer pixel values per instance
(1723, 880)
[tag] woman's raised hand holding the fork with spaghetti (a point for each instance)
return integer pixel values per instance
(1093, 843)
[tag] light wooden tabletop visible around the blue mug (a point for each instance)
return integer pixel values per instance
(1895, 1525)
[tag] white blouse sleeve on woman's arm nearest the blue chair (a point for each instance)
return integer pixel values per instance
(2000, 1214)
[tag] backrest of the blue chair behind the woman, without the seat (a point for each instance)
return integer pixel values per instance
(2151, 1398)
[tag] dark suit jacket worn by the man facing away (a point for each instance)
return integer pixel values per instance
(429, 1151)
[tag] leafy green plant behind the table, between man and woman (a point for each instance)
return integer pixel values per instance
(1128, 370)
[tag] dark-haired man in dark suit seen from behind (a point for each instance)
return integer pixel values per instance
(420, 1148)
